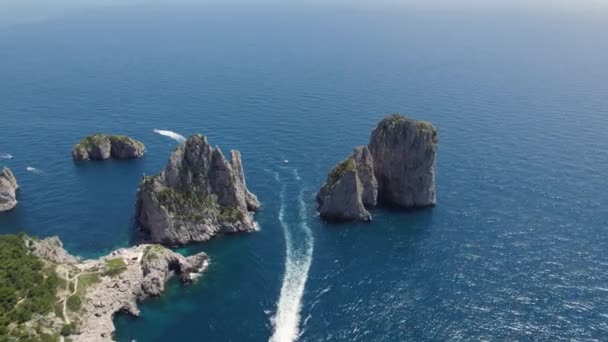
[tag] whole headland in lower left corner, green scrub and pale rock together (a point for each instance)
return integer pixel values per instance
(61, 297)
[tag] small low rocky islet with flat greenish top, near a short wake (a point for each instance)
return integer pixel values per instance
(102, 147)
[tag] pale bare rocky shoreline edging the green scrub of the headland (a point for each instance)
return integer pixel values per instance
(111, 284)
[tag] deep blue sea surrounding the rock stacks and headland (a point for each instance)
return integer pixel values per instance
(516, 248)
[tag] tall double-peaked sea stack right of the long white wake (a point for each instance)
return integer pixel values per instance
(396, 169)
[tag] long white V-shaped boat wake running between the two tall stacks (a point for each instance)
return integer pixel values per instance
(286, 320)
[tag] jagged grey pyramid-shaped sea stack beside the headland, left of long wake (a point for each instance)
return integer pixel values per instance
(199, 194)
